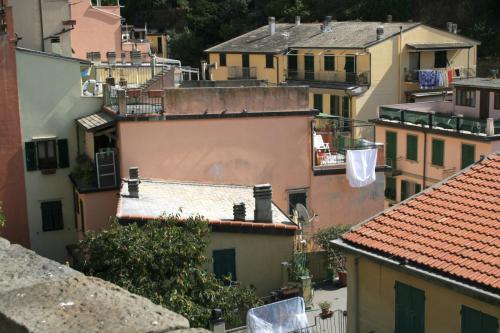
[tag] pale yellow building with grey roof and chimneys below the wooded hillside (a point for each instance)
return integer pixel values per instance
(350, 67)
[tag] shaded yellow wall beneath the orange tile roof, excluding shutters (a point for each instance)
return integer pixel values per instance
(377, 300)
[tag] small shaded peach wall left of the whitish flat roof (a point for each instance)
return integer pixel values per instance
(98, 208)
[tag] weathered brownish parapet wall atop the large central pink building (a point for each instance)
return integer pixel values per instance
(216, 100)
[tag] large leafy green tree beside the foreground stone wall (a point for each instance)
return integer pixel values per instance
(161, 260)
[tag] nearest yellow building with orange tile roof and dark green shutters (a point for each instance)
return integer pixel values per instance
(429, 264)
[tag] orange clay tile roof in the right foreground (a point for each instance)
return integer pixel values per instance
(452, 228)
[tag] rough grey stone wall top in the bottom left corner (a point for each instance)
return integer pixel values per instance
(41, 295)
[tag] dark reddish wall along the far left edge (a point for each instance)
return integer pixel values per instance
(12, 192)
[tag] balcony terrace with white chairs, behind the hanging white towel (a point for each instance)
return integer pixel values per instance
(334, 136)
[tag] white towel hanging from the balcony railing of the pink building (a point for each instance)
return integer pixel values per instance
(360, 165)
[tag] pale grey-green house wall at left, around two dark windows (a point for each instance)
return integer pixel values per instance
(50, 101)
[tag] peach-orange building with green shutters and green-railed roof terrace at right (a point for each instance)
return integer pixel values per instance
(429, 141)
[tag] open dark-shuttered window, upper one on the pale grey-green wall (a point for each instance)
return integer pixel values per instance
(46, 154)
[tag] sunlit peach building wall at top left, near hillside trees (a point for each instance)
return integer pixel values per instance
(96, 29)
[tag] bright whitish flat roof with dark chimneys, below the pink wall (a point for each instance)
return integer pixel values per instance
(213, 202)
